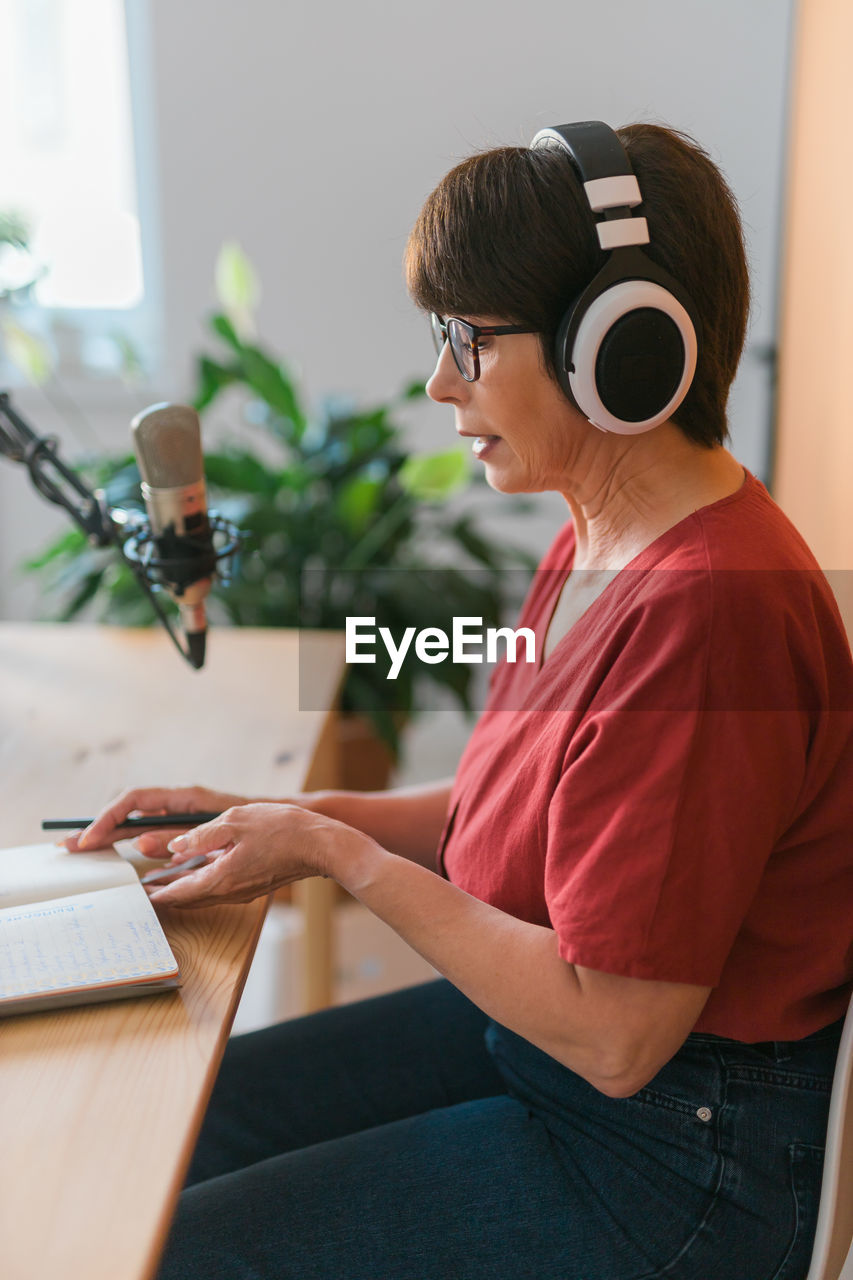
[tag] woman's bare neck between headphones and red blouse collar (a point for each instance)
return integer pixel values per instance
(636, 488)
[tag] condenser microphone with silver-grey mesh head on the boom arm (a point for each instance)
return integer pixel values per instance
(167, 441)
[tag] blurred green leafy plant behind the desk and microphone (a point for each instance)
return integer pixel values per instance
(341, 520)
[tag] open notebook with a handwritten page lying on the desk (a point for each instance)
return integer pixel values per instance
(76, 929)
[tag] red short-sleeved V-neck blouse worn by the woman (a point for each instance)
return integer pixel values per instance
(672, 790)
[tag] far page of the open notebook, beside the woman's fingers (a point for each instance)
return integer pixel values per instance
(35, 874)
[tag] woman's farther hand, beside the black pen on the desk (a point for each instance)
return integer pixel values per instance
(107, 828)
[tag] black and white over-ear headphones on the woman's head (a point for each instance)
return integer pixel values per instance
(627, 348)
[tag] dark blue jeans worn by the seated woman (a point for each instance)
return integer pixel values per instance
(410, 1139)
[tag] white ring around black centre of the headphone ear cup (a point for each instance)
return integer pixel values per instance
(581, 368)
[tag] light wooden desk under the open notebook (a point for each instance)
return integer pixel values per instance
(101, 1107)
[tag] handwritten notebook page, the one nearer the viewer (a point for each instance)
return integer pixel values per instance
(90, 940)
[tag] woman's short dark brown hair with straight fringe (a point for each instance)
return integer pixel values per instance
(509, 234)
